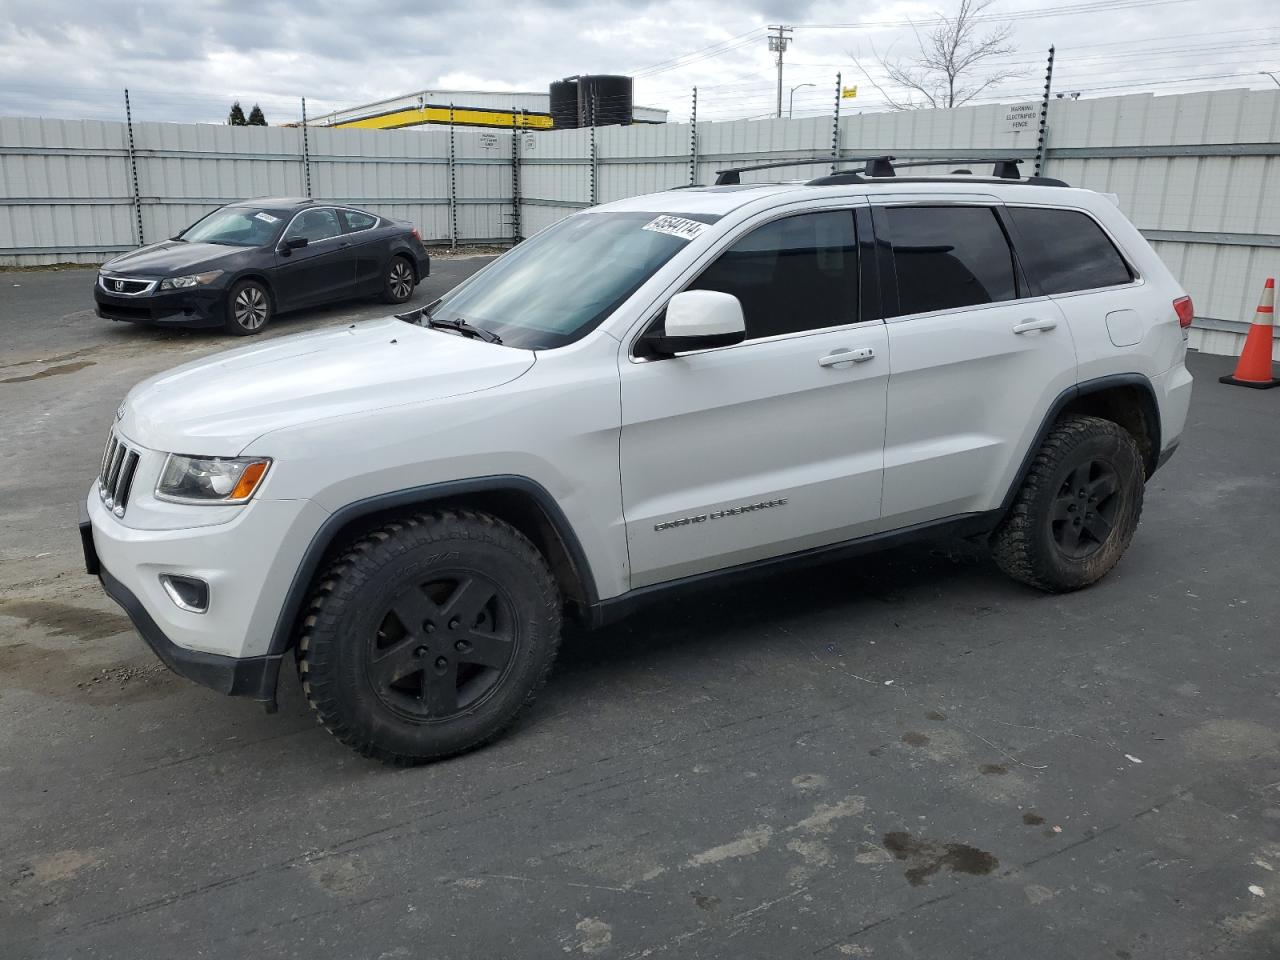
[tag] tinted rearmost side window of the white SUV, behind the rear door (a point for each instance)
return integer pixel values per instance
(1066, 250)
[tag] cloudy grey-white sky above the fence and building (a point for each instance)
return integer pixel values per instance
(188, 62)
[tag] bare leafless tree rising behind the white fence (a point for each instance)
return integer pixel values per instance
(948, 71)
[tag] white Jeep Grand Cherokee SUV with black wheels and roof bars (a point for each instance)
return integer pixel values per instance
(711, 381)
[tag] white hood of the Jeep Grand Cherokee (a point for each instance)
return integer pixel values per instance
(218, 406)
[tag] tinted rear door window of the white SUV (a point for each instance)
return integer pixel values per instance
(950, 258)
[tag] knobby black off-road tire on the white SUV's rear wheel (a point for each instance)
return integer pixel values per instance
(1027, 545)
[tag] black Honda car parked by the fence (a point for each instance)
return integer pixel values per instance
(246, 262)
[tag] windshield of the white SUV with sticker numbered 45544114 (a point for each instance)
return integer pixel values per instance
(559, 286)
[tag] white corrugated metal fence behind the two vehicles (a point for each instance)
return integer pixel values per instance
(1199, 173)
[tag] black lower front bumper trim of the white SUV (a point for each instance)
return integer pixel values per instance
(234, 676)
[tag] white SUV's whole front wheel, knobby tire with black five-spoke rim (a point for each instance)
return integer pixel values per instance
(429, 637)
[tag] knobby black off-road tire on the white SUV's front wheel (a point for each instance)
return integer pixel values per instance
(339, 661)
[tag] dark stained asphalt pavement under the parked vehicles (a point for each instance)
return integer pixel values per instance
(902, 756)
